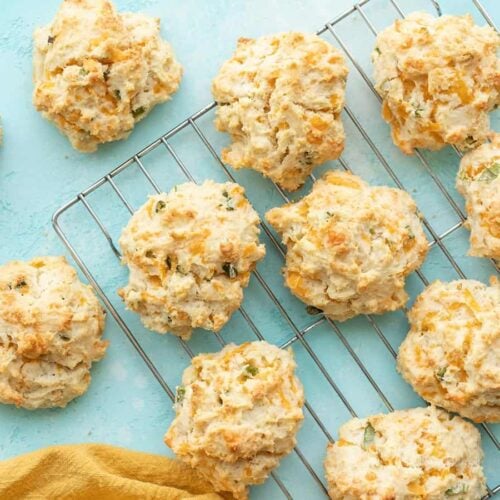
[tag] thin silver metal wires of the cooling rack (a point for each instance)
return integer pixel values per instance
(299, 335)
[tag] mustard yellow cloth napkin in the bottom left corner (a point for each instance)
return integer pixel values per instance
(97, 471)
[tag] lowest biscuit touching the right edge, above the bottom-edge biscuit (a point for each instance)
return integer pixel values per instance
(451, 355)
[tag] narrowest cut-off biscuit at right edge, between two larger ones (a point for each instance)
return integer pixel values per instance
(478, 180)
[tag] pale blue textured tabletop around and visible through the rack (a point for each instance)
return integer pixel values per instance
(39, 172)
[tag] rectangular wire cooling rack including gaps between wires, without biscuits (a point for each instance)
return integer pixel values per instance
(346, 369)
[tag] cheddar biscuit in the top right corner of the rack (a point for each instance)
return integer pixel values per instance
(438, 78)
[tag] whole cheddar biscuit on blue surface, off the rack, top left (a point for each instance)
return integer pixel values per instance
(98, 72)
